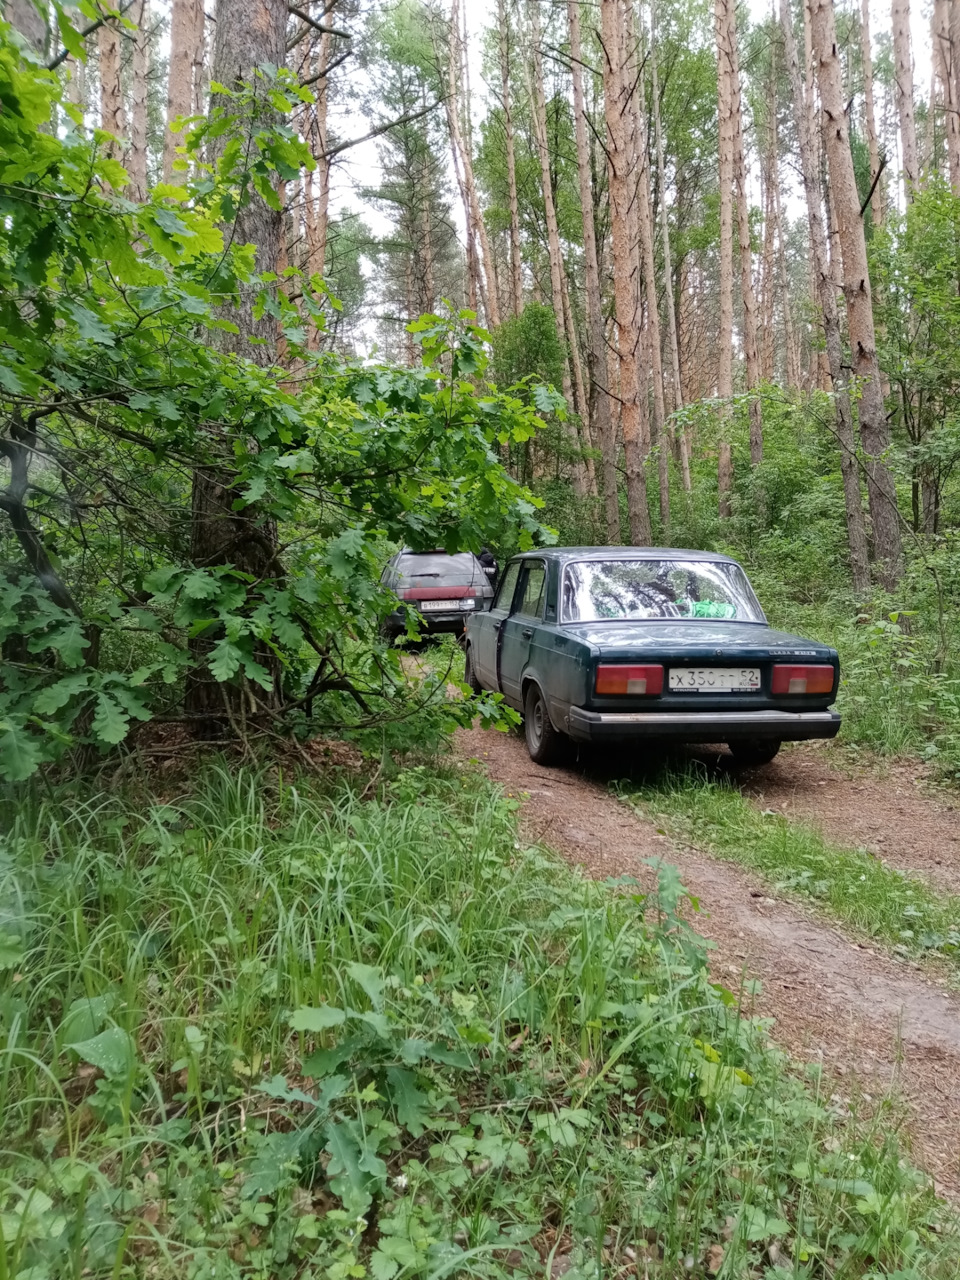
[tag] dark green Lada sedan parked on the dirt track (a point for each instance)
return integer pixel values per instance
(618, 644)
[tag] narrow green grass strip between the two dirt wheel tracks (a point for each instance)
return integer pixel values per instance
(856, 888)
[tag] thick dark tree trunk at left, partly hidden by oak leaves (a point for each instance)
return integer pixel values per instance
(249, 34)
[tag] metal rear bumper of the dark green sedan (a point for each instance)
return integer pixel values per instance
(700, 726)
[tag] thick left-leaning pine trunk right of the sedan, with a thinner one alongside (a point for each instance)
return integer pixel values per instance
(875, 431)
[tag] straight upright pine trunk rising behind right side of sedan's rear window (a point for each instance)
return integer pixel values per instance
(725, 339)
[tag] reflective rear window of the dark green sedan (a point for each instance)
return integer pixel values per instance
(648, 589)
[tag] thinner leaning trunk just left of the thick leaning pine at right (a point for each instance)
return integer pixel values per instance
(830, 314)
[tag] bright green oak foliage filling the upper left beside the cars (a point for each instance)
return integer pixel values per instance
(115, 397)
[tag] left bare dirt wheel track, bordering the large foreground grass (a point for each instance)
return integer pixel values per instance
(879, 1025)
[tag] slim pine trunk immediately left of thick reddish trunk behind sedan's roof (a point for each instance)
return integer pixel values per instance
(600, 400)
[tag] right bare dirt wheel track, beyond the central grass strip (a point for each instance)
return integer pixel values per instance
(893, 813)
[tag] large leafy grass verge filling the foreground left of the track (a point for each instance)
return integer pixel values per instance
(271, 1031)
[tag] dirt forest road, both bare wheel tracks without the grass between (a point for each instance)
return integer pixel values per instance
(879, 1025)
